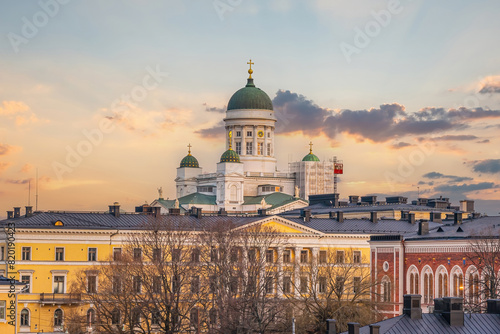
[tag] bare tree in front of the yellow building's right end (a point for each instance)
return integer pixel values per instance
(335, 285)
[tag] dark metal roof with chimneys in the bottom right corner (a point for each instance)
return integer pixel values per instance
(474, 323)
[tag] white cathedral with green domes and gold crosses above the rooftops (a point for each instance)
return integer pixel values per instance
(246, 178)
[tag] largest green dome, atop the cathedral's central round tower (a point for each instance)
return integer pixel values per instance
(250, 97)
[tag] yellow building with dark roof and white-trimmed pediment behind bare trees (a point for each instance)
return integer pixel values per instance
(53, 248)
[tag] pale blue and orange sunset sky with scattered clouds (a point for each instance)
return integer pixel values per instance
(100, 99)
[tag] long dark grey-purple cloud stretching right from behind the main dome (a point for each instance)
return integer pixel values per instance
(295, 113)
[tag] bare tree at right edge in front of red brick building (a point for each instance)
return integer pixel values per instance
(483, 280)
